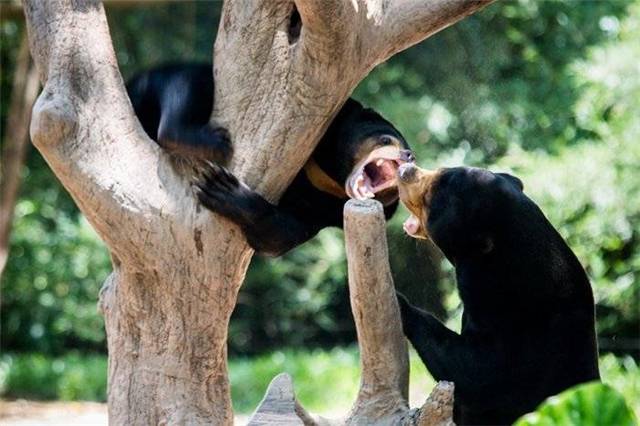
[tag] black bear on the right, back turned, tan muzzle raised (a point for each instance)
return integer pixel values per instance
(528, 327)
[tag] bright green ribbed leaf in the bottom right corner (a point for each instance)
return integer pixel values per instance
(590, 404)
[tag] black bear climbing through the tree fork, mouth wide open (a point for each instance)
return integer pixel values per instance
(358, 157)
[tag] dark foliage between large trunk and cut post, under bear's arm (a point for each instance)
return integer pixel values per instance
(293, 300)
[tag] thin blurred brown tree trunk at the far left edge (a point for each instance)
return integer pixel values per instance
(23, 95)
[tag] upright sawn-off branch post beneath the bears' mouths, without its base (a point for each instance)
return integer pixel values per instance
(384, 358)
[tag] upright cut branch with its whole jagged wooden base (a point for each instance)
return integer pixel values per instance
(384, 385)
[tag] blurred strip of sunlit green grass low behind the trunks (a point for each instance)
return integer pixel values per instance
(324, 380)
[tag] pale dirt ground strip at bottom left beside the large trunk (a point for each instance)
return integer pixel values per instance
(31, 413)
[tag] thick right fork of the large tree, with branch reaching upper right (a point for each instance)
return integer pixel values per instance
(316, 72)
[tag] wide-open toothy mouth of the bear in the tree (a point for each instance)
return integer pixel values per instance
(375, 173)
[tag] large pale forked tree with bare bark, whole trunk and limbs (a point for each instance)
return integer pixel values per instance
(176, 267)
